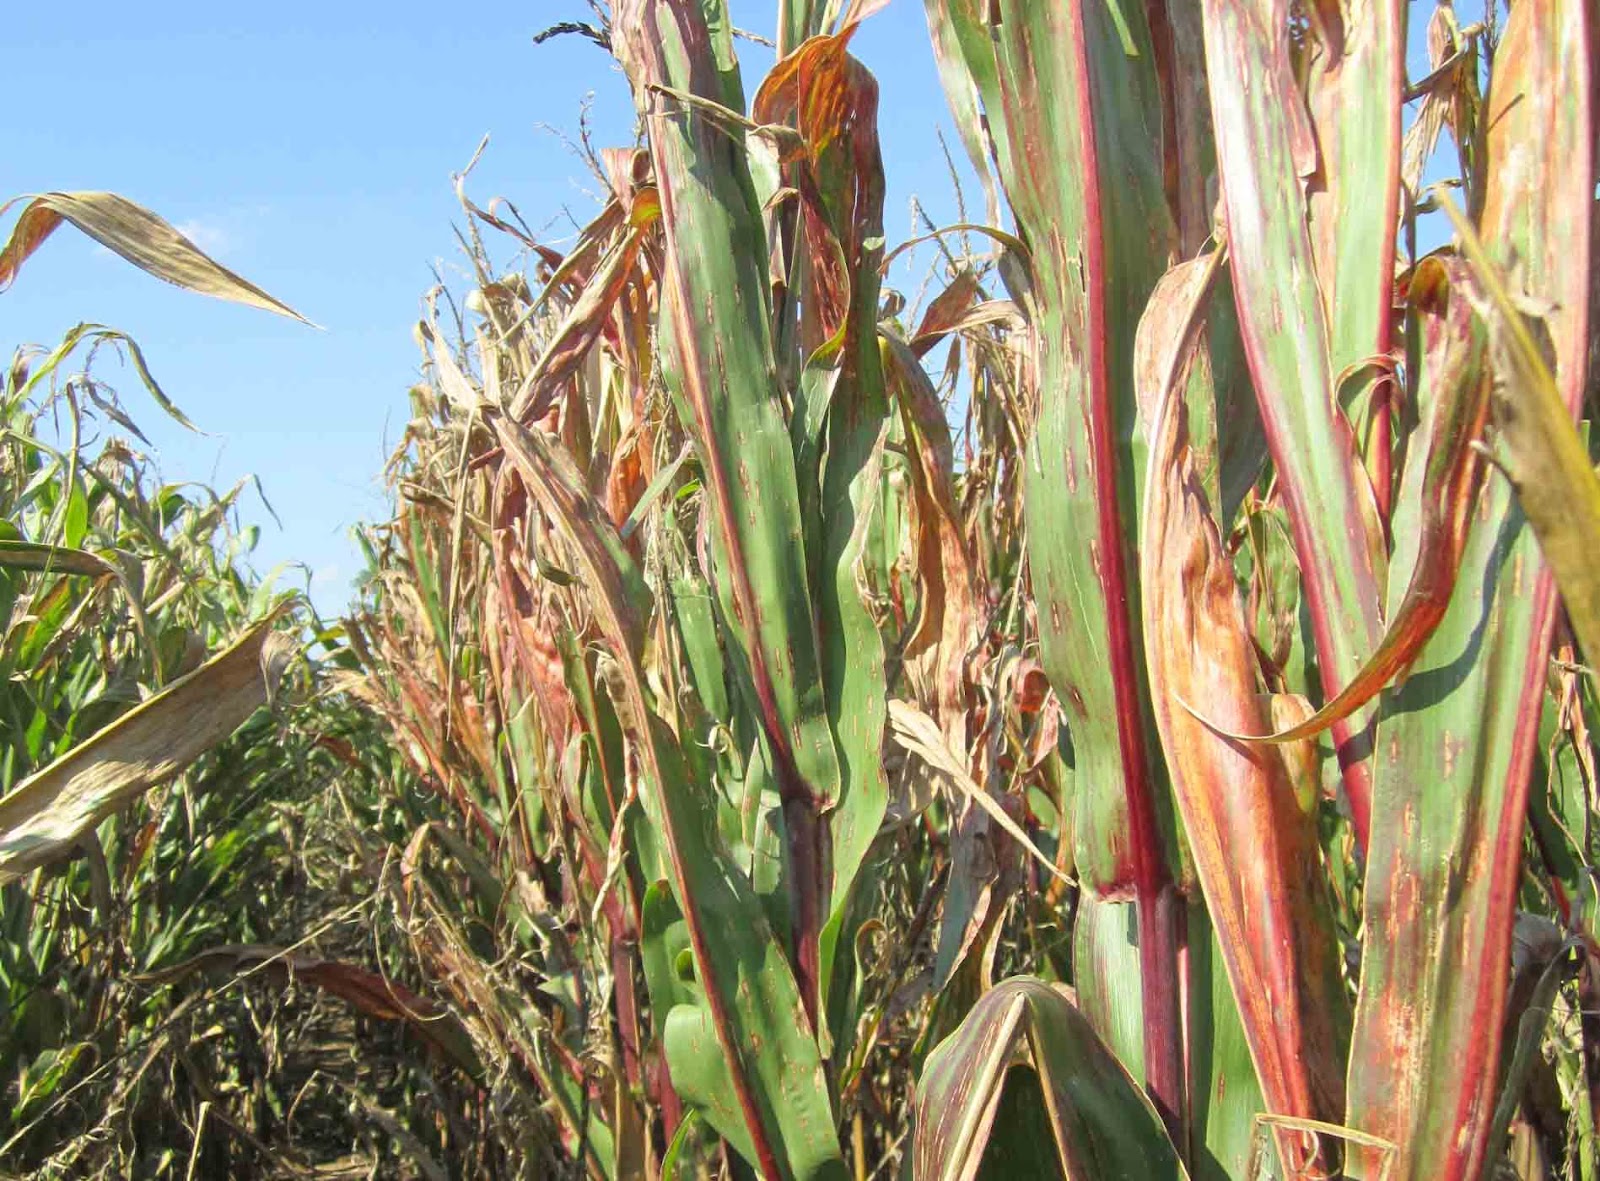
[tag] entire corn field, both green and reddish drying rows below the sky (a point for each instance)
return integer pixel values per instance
(1122, 713)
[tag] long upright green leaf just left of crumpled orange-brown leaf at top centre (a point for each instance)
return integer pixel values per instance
(719, 364)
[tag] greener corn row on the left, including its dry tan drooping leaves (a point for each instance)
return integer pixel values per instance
(143, 843)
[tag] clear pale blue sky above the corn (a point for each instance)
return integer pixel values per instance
(311, 148)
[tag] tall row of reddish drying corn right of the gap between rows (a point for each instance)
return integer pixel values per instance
(1193, 646)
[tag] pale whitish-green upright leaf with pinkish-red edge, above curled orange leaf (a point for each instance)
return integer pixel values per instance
(1266, 151)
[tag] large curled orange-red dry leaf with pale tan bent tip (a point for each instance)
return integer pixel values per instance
(1255, 847)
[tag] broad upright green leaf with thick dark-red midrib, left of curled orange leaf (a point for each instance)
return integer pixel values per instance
(1078, 130)
